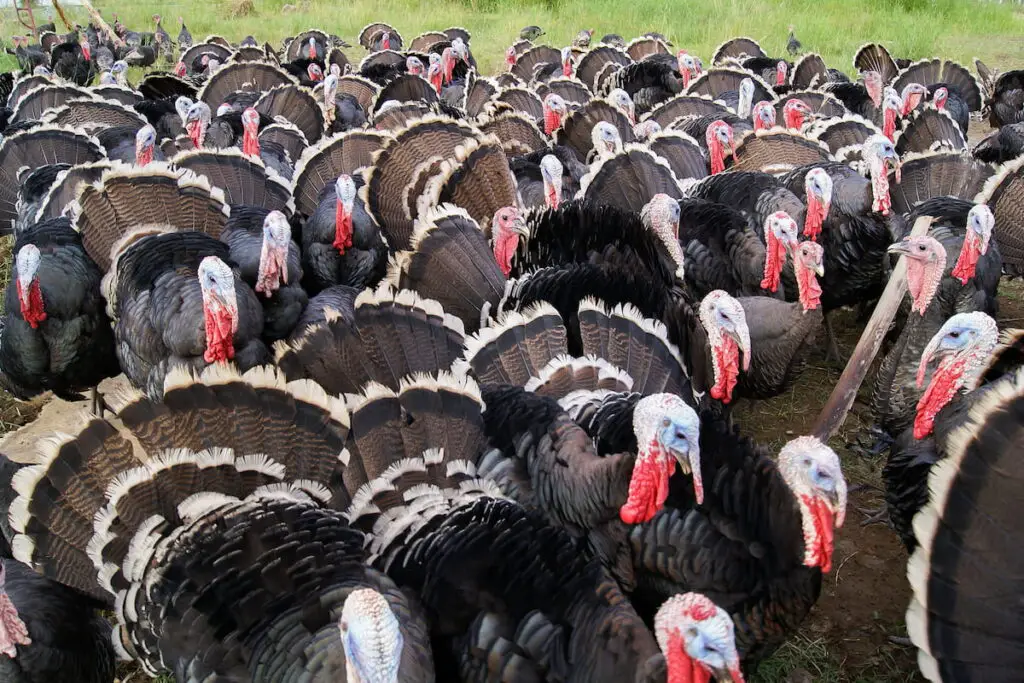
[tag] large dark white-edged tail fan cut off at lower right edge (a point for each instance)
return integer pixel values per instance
(966, 566)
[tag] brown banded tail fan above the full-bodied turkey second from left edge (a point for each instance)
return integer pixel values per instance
(127, 198)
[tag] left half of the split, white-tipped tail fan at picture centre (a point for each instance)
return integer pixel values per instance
(518, 349)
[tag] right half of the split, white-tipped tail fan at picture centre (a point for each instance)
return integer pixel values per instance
(639, 347)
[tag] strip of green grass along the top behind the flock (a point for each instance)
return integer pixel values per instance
(956, 29)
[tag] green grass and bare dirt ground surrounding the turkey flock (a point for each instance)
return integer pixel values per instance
(849, 637)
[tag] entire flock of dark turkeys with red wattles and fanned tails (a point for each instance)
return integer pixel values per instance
(416, 354)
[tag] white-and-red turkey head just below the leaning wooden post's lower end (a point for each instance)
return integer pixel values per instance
(813, 472)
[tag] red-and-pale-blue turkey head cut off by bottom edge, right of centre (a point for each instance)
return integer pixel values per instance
(698, 639)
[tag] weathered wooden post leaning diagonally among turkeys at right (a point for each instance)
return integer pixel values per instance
(841, 401)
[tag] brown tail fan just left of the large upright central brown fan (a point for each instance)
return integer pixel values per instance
(322, 164)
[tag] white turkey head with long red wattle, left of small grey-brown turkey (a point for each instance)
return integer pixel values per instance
(729, 336)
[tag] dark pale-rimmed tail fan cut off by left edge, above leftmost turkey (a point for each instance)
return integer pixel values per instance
(32, 149)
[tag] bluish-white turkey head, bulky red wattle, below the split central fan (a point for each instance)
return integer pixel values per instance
(668, 432)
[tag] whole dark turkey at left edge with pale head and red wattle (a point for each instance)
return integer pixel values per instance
(56, 335)
